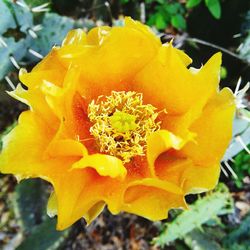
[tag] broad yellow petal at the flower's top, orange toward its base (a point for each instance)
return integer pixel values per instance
(131, 47)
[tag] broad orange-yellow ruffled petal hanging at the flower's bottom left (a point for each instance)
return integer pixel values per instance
(88, 194)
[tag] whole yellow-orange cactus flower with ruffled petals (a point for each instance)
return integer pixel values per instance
(117, 119)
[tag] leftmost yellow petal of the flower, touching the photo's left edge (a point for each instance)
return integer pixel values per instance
(23, 147)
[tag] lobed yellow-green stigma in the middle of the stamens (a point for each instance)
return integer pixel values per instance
(123, 122)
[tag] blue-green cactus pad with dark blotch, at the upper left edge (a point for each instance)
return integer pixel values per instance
(15, 35)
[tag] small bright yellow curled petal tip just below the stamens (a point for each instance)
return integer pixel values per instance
(105, 165)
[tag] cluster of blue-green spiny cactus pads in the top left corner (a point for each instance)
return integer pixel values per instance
(27, 33)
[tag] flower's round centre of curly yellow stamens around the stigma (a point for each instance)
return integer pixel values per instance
(122, 123)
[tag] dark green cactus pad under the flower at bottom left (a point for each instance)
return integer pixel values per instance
(38, 230)
